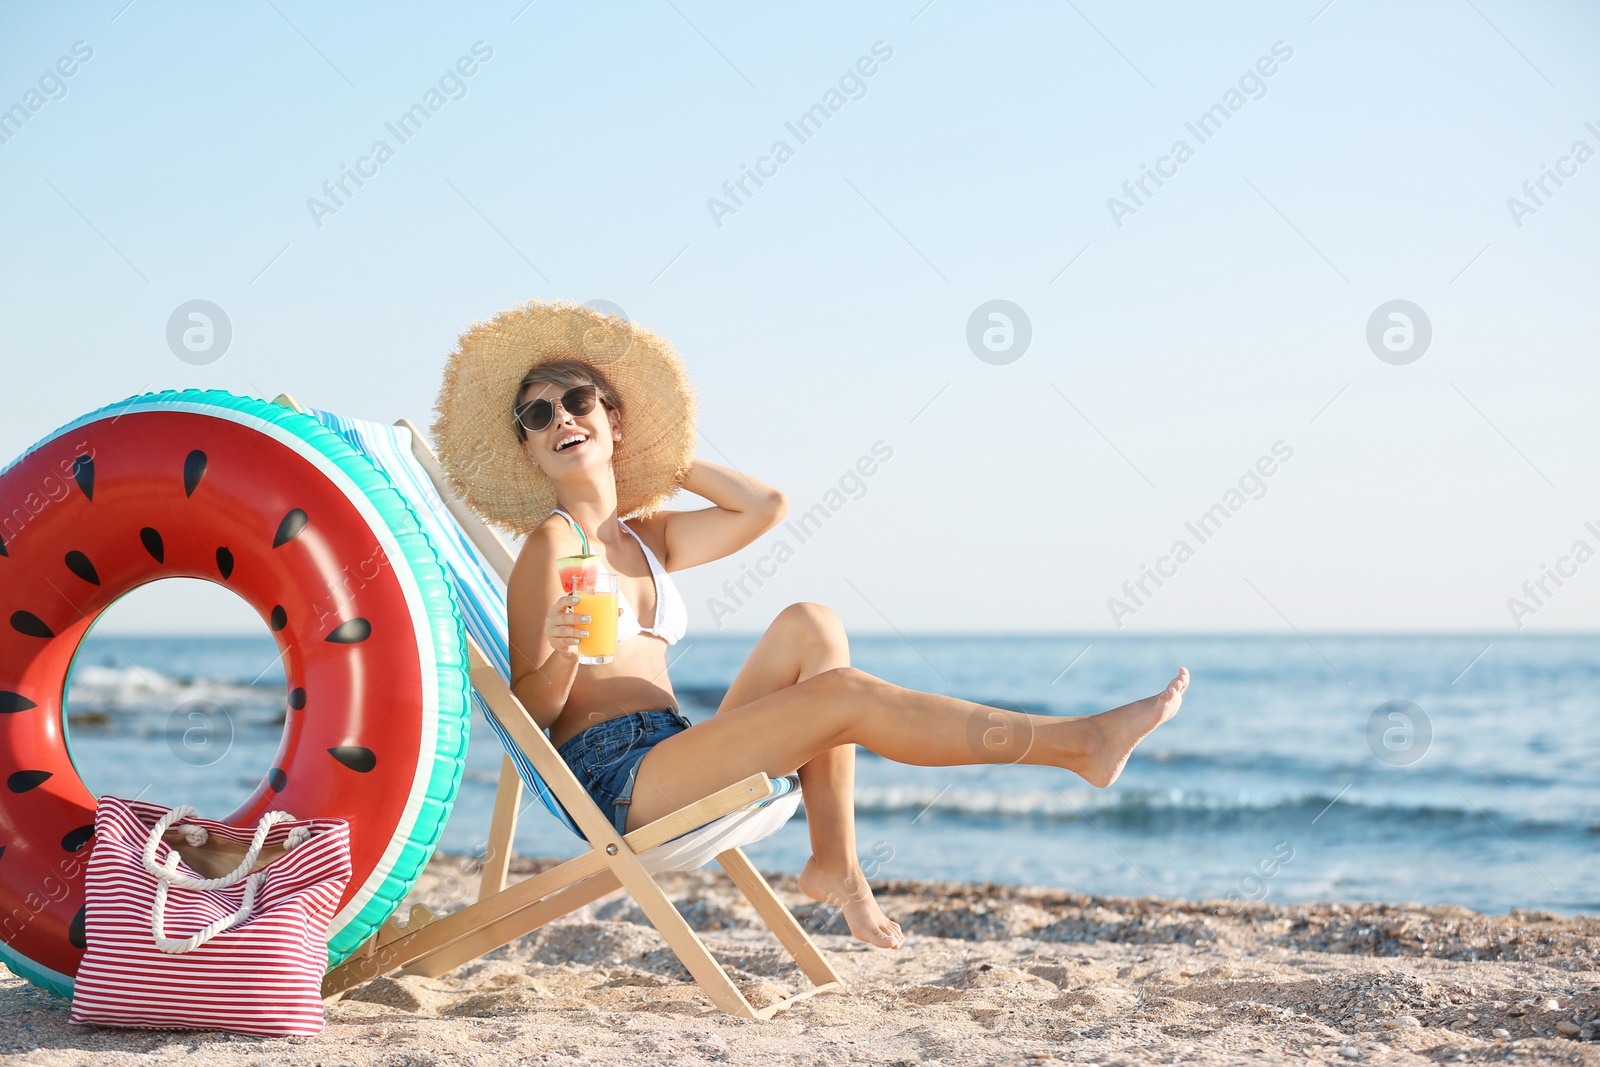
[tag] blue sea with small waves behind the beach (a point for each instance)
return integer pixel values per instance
(1394, 769)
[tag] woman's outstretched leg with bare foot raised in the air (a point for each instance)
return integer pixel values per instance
(785, 730)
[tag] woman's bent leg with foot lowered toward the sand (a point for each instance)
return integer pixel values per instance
(802, 642)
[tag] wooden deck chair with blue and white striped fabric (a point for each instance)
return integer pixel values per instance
(713, 828)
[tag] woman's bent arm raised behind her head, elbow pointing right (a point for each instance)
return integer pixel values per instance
(745, 510)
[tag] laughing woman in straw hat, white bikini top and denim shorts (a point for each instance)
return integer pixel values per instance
(796, 705)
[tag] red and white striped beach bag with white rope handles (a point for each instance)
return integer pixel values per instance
(172, 951)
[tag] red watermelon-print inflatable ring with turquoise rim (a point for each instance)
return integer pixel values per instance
(282, 511)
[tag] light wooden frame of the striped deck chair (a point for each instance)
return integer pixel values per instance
(433, 946)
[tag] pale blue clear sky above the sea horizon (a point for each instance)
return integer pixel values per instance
(1212, 343)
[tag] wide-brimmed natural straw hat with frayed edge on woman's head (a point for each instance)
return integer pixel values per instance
(476, 438)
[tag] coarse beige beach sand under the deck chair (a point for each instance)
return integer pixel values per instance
(990, 975)
